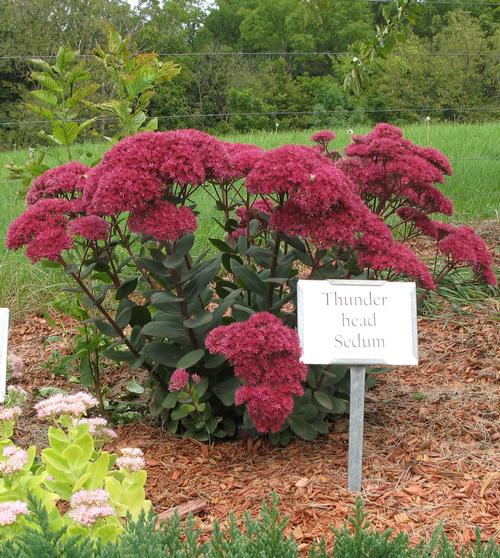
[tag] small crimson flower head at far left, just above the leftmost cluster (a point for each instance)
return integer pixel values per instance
(63, 181)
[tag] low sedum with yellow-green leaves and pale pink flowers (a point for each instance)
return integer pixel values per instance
(84, 490)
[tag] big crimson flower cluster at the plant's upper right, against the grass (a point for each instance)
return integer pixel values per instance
(388, 168)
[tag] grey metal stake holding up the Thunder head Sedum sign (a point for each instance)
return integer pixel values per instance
(356, 419)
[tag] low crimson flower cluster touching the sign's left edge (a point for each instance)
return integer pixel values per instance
(266, 356)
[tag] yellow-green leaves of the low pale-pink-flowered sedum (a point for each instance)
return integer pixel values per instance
(73, 461)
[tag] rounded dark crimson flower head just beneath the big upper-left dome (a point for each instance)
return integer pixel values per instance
(163, 221)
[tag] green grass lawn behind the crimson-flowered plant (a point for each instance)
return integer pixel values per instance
(474, 189)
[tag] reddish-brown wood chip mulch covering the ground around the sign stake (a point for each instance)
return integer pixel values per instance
(431, 454)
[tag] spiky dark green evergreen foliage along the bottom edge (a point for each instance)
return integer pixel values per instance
(262, 537)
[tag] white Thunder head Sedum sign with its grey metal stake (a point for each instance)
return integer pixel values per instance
(358, 323)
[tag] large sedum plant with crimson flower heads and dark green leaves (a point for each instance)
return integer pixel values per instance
(216, 329)
